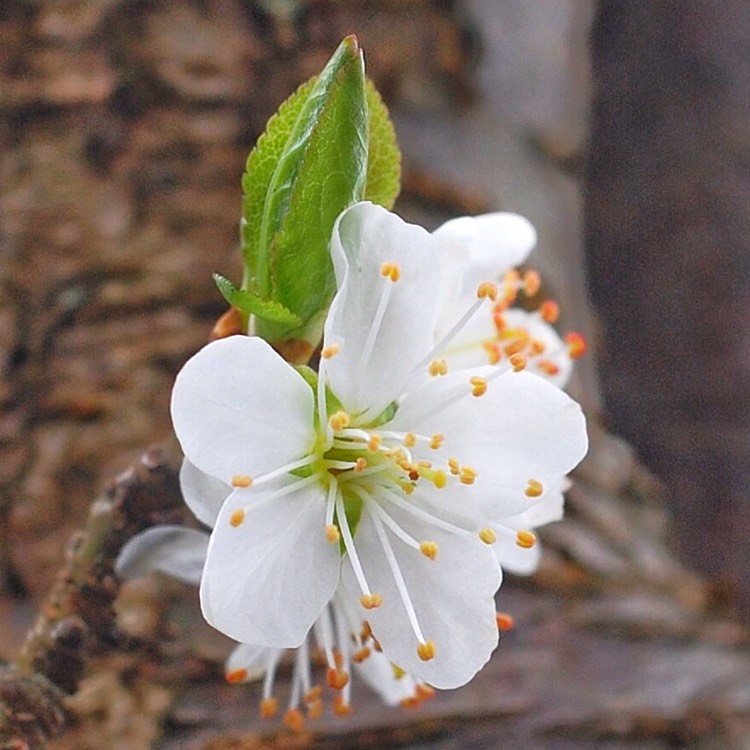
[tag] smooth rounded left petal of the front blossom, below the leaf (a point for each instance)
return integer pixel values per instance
(239, 408)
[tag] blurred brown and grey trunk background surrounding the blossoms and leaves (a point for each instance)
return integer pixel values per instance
(621, 128)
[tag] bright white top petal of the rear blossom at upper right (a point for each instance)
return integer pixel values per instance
(483, 248)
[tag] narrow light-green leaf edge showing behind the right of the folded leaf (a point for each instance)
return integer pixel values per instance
(384, 158)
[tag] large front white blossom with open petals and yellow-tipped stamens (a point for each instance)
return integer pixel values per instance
(370, 483)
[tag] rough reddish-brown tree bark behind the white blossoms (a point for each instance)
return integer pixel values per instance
(124, 127)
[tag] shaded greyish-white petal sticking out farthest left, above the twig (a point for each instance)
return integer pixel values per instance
(174, 550)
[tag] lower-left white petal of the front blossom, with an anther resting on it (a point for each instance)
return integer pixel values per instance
(267, 579)
